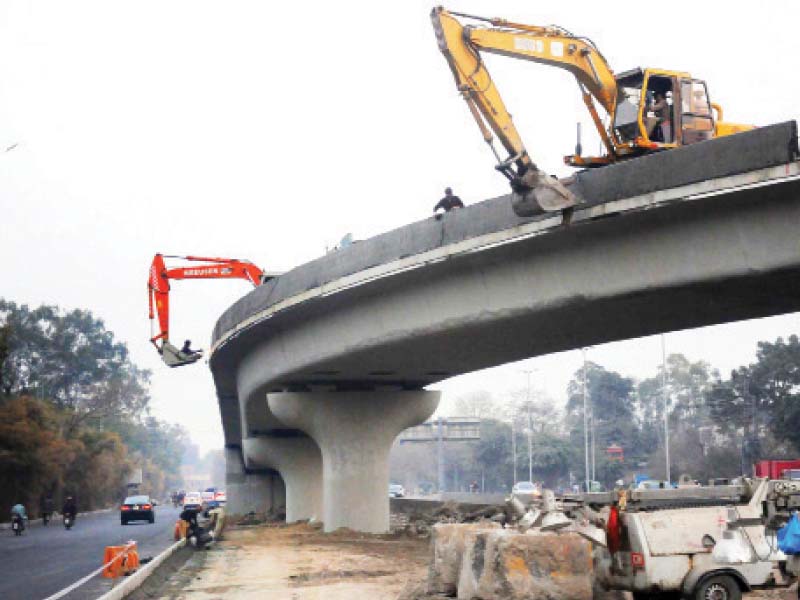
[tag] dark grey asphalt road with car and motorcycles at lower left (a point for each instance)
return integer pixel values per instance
(45, 560)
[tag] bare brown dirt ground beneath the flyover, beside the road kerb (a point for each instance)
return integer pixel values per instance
(298, 562)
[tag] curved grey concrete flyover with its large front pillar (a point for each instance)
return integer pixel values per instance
(336, 352)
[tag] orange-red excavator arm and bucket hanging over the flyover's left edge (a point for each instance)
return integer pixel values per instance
(158, 296)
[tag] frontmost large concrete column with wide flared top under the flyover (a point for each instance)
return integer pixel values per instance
(354, 431)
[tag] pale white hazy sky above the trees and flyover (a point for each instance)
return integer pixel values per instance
(268, 130)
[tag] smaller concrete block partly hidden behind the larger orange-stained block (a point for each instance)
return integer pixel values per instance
(448, 541)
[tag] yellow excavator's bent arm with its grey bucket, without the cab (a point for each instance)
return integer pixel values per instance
(462, 46)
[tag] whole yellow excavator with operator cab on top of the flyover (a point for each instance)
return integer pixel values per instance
(647, 110)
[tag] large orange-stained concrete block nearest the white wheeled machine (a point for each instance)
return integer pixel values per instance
(509, 565)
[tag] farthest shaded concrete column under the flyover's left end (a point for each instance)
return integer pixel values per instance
(247, 492)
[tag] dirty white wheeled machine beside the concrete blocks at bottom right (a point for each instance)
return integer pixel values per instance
(698, 552)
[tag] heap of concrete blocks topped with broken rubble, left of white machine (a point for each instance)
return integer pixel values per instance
(515, 551)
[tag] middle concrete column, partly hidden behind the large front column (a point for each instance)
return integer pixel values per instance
(299, 462)
